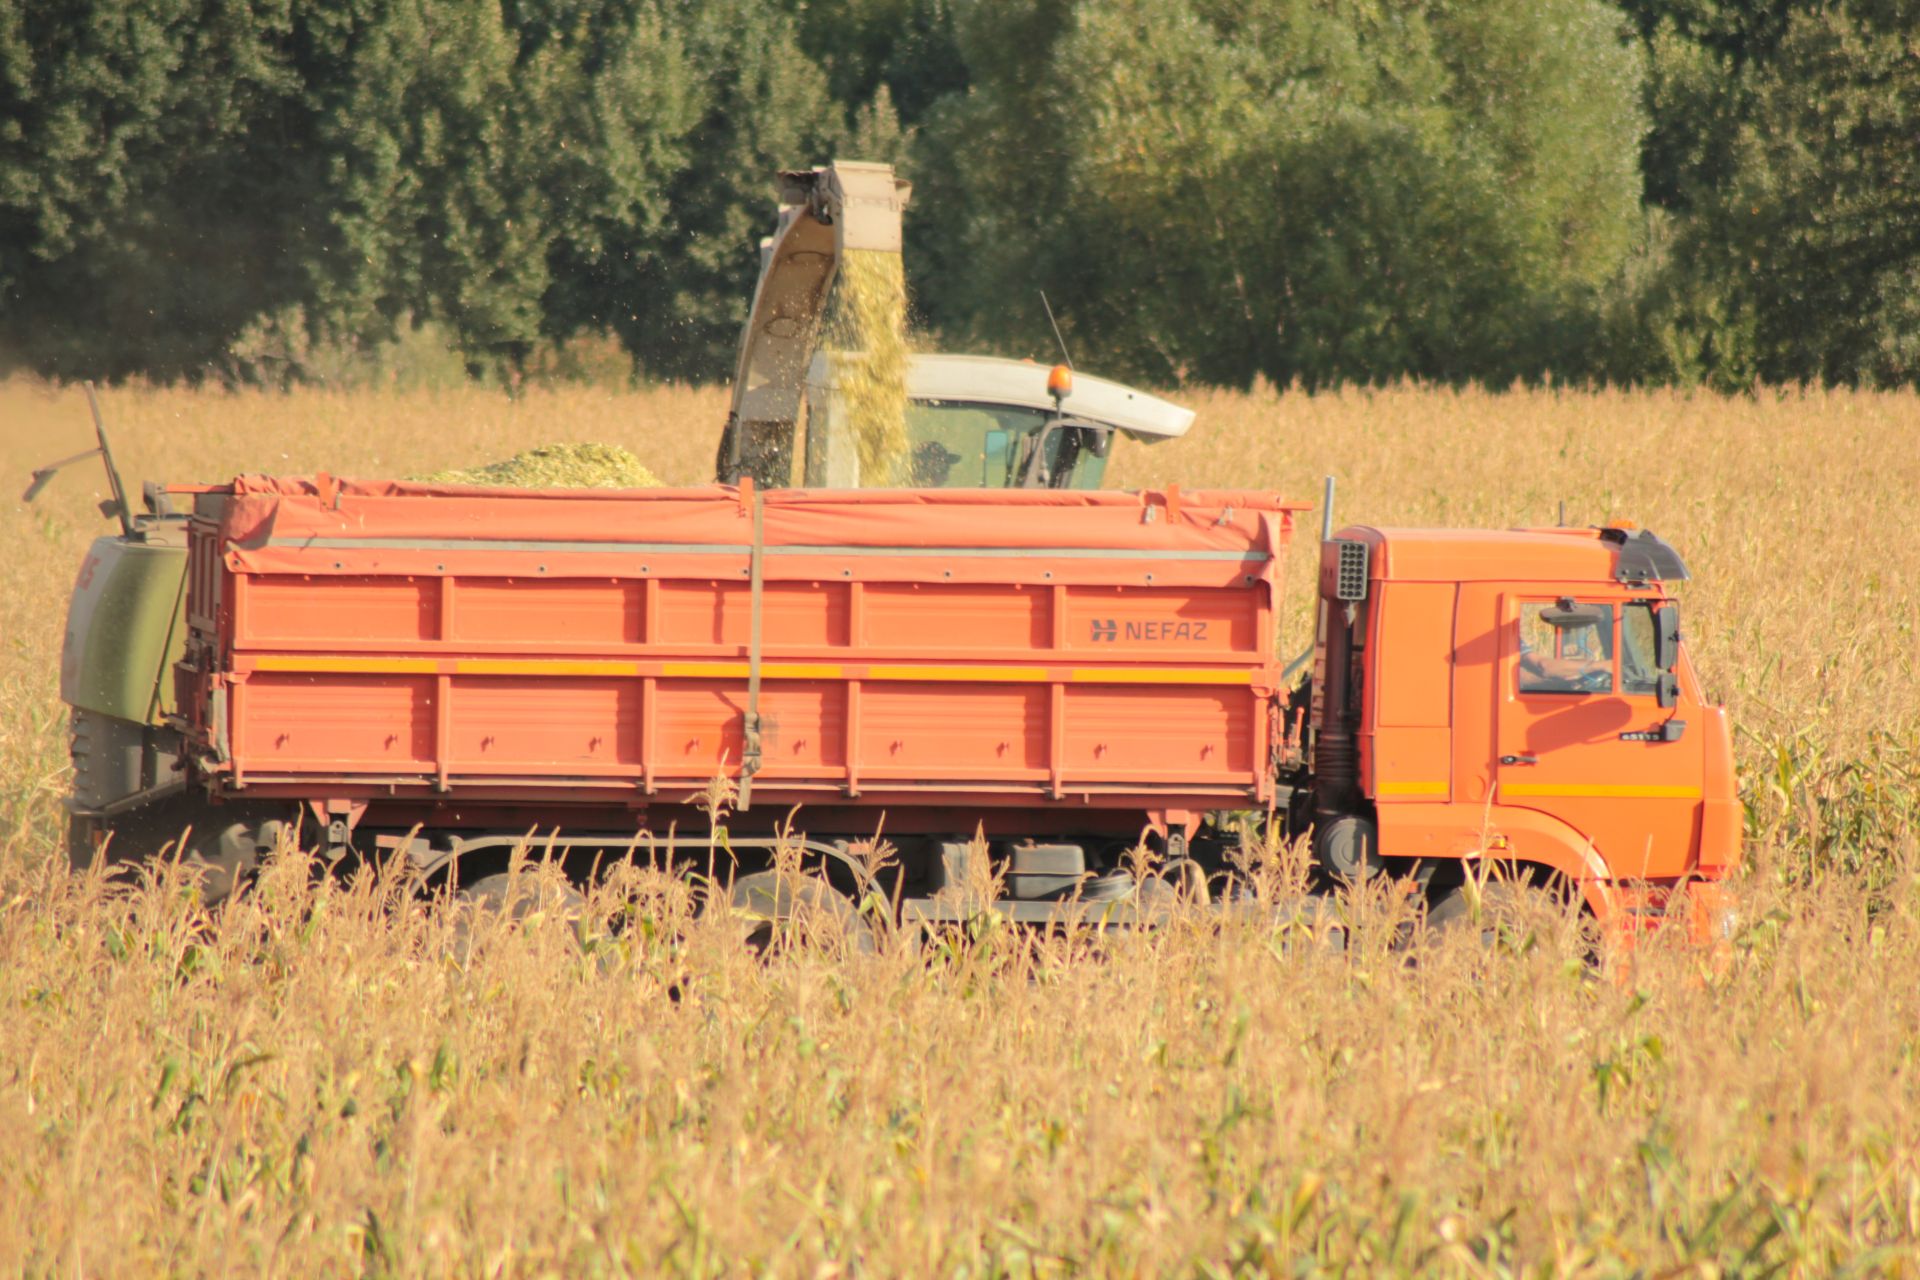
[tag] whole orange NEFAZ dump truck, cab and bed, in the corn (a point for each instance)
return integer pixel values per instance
(437, 671)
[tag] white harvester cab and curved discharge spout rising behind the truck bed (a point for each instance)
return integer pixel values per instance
(972, 423)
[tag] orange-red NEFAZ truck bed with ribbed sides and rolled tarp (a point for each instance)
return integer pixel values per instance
(375, 640)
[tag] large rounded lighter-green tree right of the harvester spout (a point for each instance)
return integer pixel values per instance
(1224, 189)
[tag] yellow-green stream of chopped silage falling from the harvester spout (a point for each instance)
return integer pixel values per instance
(871, 329)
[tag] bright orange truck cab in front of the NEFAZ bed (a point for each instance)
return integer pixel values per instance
(1520, 696)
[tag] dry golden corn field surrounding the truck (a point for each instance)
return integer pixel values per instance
(308, 1083)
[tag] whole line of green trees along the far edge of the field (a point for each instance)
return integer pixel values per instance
(1212, 191)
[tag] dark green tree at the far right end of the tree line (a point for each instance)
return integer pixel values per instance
(1785, 151)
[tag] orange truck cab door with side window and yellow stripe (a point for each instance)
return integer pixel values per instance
(1583, 734)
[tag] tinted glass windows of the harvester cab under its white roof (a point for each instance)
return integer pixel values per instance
(961, 446)
